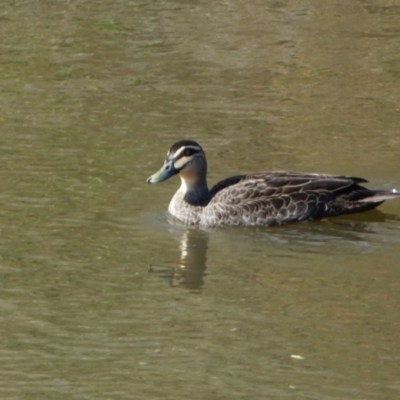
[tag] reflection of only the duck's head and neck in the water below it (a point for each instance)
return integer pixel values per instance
(191, 268)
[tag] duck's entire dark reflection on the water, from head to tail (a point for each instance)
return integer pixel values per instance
(361, 233)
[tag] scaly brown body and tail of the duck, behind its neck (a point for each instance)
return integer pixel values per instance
(274, 198)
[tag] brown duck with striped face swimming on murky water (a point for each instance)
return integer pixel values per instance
(260, 199)
